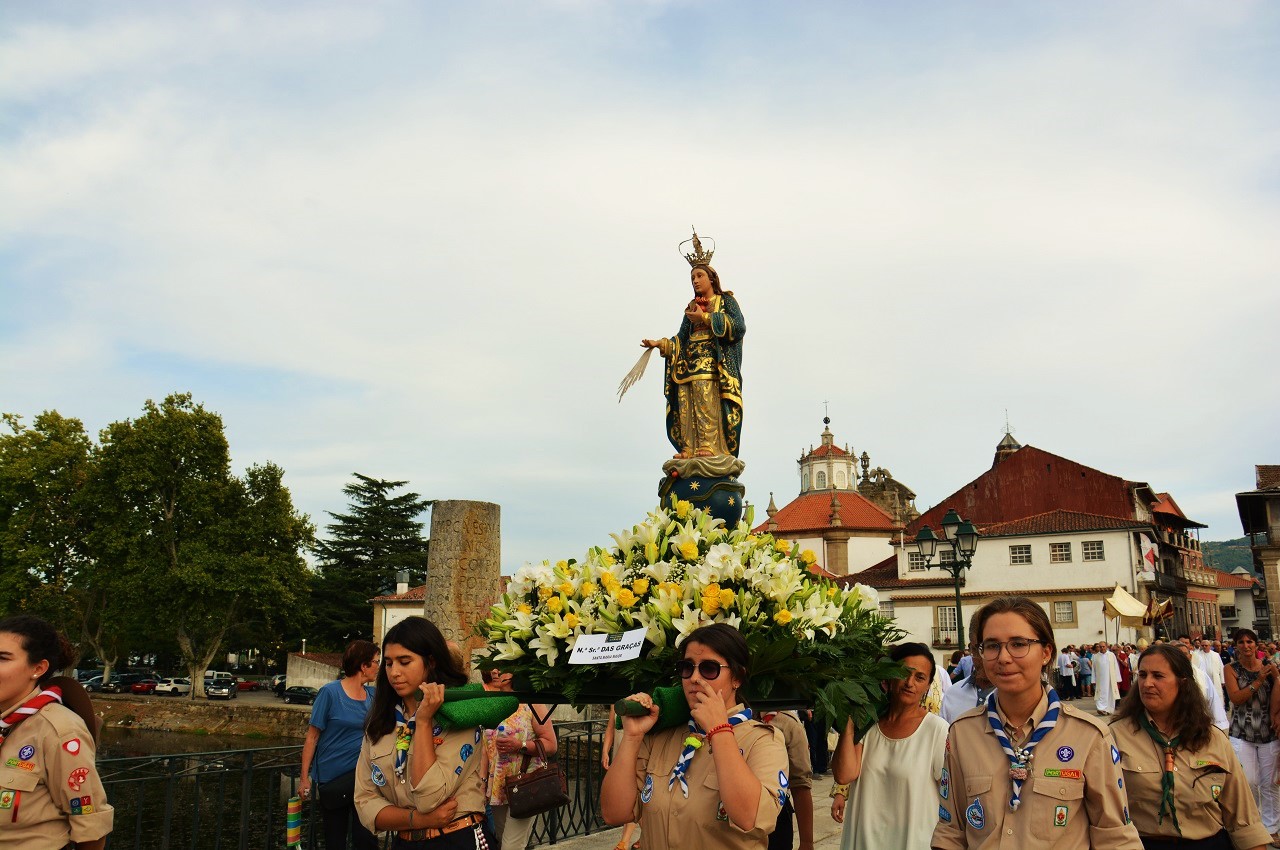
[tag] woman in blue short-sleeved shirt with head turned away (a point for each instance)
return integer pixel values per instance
(333, 747)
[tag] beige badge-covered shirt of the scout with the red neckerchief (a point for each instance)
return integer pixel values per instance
(51, 793)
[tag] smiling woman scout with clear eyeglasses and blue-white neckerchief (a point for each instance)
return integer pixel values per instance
(1026, 770)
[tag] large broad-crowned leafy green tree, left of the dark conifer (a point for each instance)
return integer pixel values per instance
(205, 551)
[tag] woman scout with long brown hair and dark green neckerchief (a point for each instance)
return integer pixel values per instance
(1186, 787)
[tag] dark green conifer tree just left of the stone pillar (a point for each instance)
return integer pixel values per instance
(378, 537)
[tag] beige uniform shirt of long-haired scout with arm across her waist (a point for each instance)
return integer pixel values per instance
(456, 774)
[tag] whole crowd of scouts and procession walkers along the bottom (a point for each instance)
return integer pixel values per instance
(989, 753)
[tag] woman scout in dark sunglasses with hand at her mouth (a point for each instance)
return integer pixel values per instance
(719, 783)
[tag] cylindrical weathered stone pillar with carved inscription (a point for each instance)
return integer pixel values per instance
(463, 566)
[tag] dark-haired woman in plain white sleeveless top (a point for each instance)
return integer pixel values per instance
(894, 773)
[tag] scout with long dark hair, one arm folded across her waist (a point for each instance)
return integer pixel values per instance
(415, 778)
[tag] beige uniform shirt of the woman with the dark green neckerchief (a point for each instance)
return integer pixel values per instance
(1210, 790)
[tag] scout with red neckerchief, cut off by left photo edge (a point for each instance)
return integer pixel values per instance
(51, 792)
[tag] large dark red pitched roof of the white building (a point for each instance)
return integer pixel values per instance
(1032, 482)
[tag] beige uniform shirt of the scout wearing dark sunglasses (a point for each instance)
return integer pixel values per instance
(669, 820)
